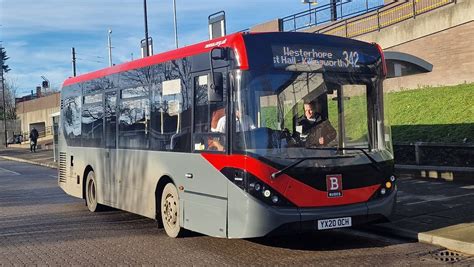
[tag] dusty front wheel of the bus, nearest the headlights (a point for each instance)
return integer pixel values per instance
(170, 210)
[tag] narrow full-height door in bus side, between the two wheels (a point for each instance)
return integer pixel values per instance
(110, 137)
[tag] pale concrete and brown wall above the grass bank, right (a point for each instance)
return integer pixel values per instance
(443, 37)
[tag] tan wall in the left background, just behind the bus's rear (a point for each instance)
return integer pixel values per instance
(38, 110)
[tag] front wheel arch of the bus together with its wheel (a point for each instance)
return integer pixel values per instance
(167, 206)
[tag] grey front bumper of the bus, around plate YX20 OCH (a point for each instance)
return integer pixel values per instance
(275, 221)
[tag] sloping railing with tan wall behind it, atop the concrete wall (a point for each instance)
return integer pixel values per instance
(383, 17)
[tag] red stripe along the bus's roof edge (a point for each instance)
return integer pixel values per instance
(235, 41)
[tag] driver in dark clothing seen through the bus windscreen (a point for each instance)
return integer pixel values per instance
(316, 130)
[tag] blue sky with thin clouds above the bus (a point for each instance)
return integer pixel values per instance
(38, 34)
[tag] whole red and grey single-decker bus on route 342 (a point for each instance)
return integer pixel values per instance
(150, 136)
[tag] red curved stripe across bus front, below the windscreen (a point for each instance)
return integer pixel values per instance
(300, 194)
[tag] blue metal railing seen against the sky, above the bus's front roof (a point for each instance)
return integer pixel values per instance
(322, 14)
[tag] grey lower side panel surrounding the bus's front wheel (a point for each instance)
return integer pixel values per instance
(203, 198)
